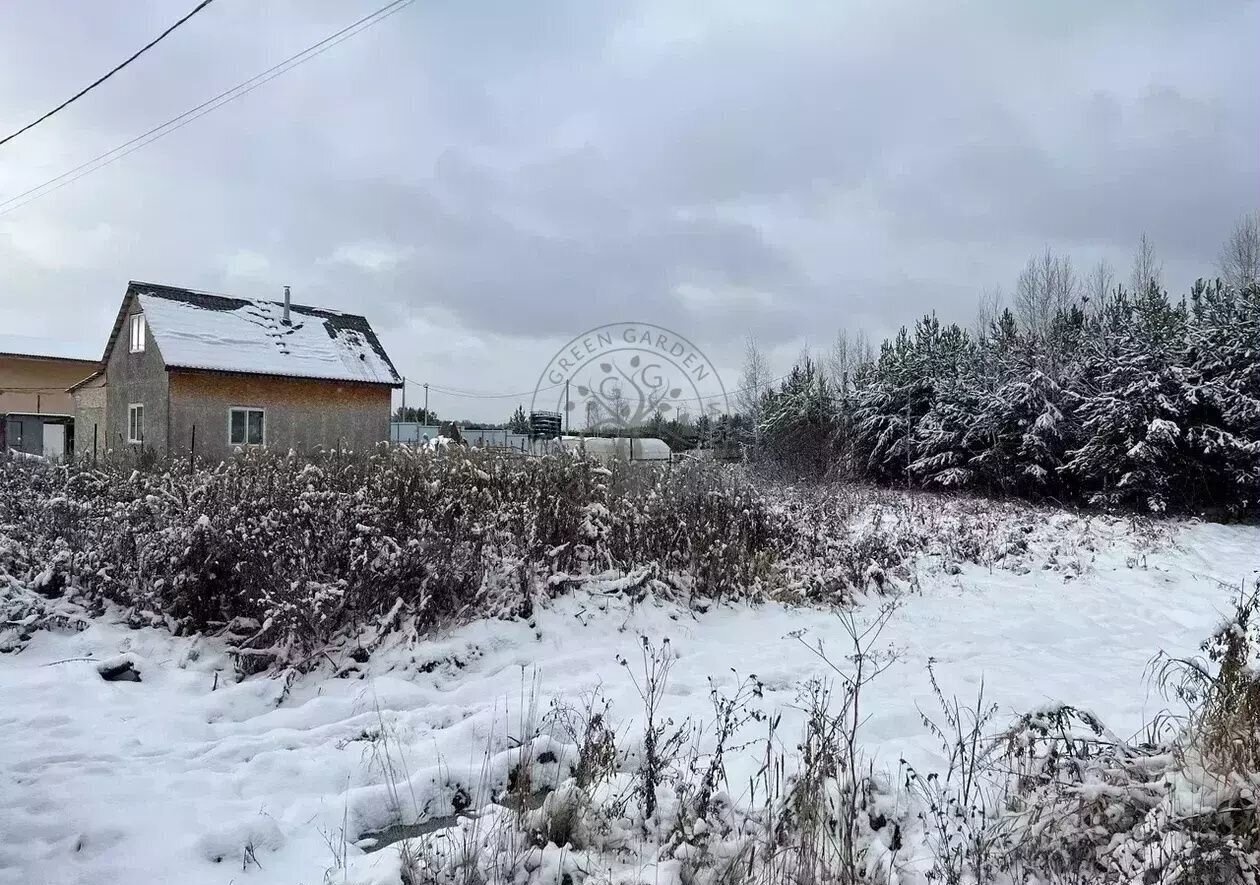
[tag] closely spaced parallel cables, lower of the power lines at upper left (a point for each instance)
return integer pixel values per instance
(219, 101)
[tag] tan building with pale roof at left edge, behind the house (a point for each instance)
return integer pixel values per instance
(37, 414)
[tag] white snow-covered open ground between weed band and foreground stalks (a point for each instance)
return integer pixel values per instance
(191, 777)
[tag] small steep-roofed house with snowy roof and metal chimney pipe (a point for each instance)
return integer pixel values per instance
(190, 371)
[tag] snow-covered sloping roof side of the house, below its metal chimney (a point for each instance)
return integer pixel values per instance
(201, 331)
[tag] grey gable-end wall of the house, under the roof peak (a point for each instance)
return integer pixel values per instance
(135, 378)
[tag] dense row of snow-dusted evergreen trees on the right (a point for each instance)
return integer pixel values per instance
(1083, 389)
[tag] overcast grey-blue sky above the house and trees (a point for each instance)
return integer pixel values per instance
(484, 181)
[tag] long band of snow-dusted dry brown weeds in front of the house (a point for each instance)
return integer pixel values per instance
(290, 557)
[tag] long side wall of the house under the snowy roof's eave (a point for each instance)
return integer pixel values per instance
(301, 414)
